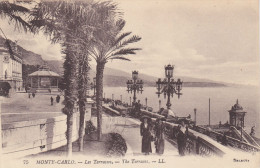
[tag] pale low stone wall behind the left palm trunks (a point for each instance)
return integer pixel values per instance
(32, 137)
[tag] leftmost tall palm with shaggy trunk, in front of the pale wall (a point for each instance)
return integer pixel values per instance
(60, 20)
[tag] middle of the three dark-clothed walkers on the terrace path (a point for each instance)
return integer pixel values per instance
(159, 135)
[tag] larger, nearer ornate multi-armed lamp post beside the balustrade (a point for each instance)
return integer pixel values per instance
(168, 86)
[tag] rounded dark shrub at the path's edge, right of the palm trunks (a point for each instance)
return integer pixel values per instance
(117, 145)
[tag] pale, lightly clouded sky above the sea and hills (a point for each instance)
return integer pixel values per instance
(211, 39)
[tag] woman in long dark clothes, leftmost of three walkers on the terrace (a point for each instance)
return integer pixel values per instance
(145, 131)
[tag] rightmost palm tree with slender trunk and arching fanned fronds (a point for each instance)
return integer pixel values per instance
(109, 44)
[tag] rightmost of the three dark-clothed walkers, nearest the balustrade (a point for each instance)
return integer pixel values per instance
(182, 132)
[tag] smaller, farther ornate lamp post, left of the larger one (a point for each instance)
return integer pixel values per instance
(134, 85)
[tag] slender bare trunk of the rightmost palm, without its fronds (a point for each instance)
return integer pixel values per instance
(99, 94)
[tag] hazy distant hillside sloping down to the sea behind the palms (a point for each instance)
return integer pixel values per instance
(112, 77)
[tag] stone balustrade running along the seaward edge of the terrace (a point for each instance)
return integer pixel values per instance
(200, 141)
